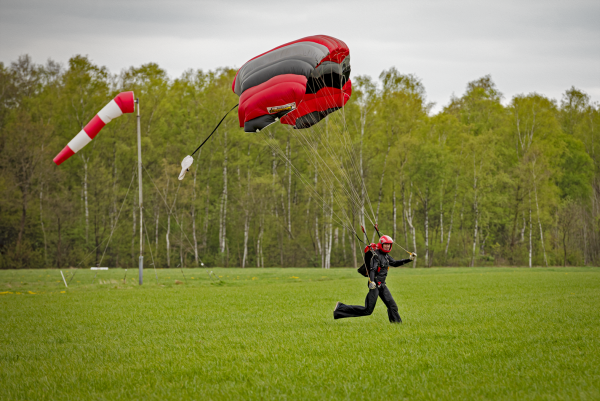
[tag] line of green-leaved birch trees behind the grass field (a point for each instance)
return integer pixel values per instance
(479, 183)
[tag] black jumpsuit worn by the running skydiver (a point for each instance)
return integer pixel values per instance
(378, 269)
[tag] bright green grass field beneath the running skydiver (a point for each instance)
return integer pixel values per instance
(269, 334)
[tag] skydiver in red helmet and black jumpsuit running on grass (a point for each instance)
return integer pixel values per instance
(377, 272)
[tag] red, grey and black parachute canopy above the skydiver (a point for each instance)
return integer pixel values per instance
(300, 82)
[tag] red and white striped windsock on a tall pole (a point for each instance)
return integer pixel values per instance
(124, 102)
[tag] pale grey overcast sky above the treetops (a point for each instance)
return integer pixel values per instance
(527, 46)
